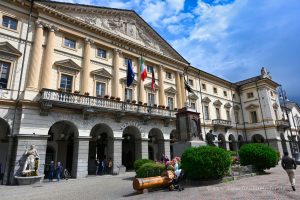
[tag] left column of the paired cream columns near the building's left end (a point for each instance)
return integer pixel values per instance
(36, 58)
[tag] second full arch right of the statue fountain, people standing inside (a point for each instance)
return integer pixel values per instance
(101, 147)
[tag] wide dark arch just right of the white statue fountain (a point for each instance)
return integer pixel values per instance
(63, 136)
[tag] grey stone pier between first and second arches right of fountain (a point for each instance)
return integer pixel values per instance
(80, 157)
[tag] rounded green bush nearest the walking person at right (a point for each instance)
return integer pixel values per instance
(259, 155)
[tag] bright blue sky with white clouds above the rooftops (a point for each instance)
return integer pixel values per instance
(232, 39)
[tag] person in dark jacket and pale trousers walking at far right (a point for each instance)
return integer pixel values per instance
(289, 165)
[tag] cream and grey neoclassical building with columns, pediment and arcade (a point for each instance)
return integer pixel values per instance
(63, 88)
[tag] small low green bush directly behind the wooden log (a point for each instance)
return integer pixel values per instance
(150, 169)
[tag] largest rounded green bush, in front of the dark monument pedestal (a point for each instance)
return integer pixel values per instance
(205, 163)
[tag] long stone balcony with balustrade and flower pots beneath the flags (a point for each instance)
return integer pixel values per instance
(90, 104)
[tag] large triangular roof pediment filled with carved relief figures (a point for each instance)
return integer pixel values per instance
(123, 23)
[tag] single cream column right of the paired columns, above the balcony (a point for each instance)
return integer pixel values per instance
(85, 80)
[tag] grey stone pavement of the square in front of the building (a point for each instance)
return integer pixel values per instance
(272, 186)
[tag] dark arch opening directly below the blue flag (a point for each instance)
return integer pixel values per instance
(131, 146)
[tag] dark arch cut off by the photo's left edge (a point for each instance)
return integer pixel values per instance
(4, 132)
